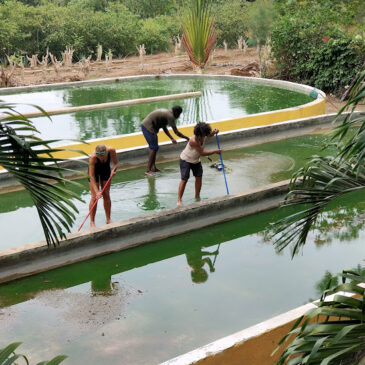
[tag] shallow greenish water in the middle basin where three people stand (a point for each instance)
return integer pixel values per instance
(135, 195)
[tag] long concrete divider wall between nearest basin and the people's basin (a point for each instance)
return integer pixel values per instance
(37, 257)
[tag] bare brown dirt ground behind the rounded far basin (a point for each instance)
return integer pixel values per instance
(222, 63)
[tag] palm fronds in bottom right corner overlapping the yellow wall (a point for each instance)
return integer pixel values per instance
(332, 333)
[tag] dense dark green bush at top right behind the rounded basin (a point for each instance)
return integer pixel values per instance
(311, 44)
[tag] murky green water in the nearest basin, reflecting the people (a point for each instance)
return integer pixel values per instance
(148, 304)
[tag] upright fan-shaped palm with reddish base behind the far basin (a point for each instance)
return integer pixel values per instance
(199, 35)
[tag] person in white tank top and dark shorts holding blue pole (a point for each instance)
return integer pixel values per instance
(190, 158)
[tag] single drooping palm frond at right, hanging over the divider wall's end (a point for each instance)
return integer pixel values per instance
(314, 187)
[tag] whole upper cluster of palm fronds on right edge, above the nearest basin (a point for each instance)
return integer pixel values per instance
(325, 179)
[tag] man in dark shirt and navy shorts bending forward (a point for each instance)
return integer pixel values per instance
(160, 118)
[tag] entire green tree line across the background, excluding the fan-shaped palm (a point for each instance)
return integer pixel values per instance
(321, 43)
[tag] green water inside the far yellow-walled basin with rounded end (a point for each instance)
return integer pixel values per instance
(221, 99)
